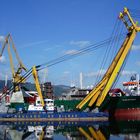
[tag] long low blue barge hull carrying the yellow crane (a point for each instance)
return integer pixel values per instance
(54, 117)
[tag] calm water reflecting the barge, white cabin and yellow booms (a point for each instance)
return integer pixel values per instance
(127, 130)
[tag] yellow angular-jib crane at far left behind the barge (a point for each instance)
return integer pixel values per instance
(16, 75)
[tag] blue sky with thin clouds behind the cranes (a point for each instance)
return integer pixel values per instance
(47, 29)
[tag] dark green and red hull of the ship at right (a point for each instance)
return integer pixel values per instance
(124, 108)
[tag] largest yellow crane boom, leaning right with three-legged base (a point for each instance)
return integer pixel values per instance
(98, 94)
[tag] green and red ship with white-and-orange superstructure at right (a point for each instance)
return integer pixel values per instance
(124, 104)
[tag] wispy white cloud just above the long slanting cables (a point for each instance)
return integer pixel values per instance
(81, 43)
